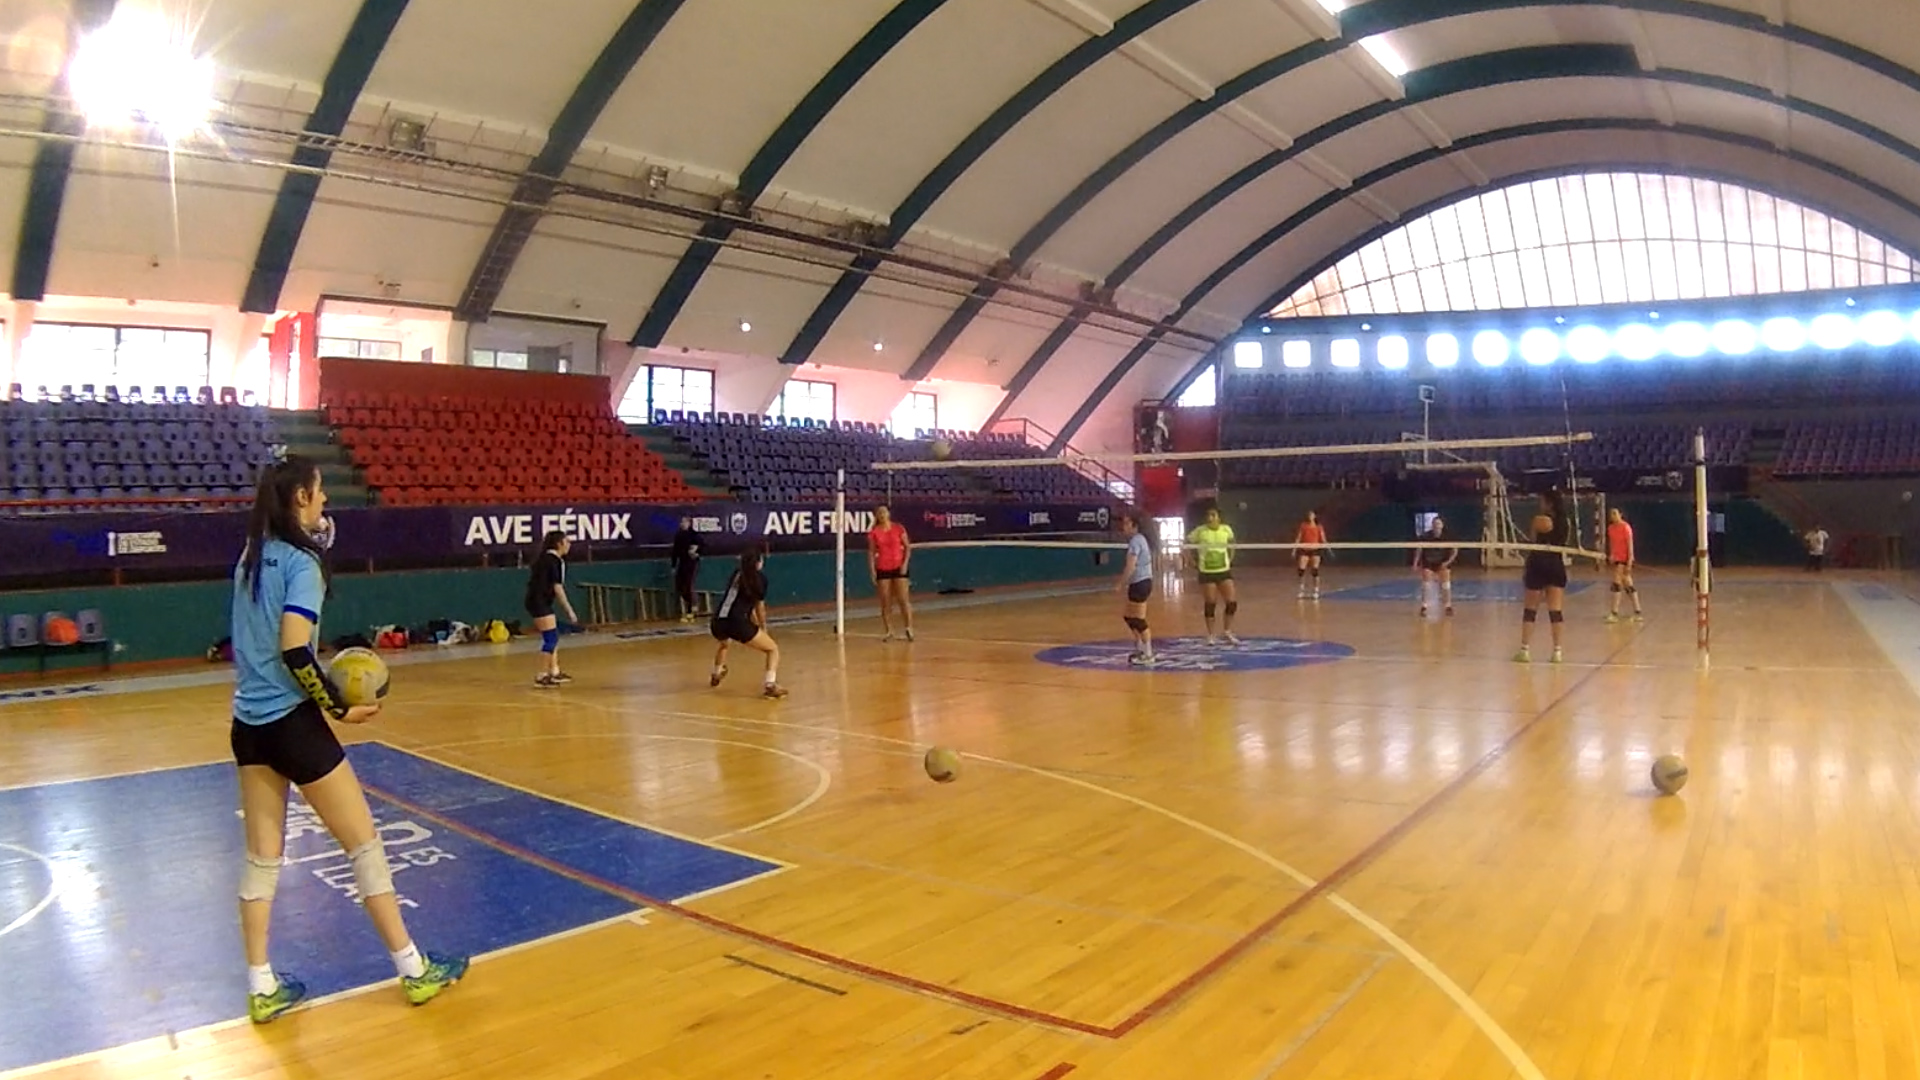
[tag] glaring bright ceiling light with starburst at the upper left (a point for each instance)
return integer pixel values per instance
(141, 70)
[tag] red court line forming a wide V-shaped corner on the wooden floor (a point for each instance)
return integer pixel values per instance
(1168, 998)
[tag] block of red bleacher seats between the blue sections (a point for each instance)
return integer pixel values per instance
(471, 451)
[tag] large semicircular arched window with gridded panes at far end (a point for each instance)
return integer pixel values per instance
(1600, 239)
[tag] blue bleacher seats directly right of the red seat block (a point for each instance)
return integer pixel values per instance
(769, 462)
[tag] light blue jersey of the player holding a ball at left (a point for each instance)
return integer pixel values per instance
(289, 581)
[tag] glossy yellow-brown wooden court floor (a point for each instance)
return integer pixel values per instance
(1418, 862)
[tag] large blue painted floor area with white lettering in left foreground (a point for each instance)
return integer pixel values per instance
(143, 935)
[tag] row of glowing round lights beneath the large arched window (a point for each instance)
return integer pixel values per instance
(1591, 345)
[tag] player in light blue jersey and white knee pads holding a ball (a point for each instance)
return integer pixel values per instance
(281, 737)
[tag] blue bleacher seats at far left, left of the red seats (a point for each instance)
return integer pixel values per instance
(64, 451)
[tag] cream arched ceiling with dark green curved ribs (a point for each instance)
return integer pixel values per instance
(1065, 197)
